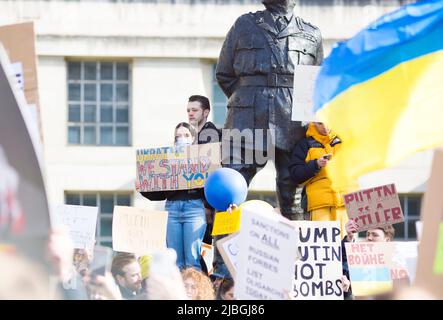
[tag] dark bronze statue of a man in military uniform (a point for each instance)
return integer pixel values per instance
(256, 72)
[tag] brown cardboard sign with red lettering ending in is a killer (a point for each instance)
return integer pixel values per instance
(374, 207)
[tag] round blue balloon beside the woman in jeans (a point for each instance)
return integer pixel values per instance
(224, 187)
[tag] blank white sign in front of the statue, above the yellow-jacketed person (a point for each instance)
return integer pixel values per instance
(304, 85)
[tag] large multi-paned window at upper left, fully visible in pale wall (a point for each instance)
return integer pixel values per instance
(99, 103)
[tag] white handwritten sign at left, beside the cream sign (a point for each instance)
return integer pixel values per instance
(81, 221)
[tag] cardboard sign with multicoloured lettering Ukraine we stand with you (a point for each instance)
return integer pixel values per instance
(176, 168)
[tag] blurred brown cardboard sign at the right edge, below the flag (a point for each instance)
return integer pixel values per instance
(431, 215)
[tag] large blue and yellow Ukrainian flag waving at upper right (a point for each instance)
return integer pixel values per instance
(382, 91)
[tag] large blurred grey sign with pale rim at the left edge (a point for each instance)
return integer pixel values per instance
(20, 149)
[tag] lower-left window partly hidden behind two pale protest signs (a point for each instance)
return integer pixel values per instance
(105, 203)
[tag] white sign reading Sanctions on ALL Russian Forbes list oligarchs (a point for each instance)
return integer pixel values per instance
(266, 256)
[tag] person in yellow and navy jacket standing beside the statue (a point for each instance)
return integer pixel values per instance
(308, 166)
